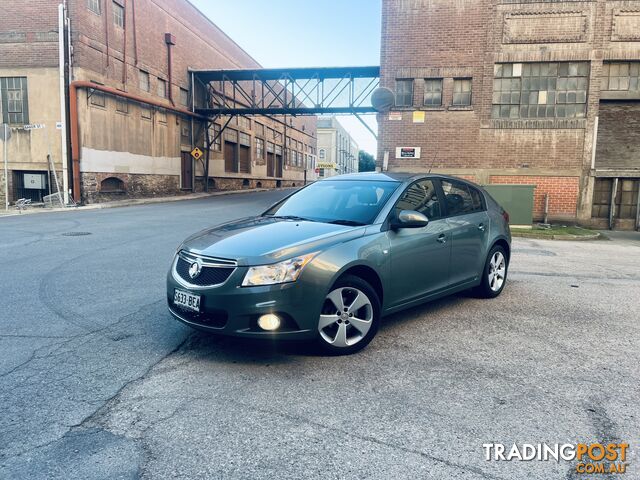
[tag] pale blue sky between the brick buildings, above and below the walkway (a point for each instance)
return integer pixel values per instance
(305, 33)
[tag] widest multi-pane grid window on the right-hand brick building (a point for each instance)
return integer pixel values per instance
(540, 90)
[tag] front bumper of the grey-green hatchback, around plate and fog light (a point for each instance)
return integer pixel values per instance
(230, 309)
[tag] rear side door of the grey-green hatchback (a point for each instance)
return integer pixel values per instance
(469, 228)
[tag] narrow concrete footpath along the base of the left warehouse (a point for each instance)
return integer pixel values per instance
(13, 211)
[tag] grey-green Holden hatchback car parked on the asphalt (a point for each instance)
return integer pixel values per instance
(329, 261)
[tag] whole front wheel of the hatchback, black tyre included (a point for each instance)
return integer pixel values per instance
(349, 318)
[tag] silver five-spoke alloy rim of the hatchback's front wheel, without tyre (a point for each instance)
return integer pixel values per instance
(347, 316)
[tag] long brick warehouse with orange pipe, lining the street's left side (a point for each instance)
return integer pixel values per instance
(130, 127)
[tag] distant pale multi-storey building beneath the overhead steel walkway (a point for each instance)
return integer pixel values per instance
(337, 151)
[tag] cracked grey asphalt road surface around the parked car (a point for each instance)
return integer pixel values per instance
(98, 381)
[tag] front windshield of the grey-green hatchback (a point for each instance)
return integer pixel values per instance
(347, 202)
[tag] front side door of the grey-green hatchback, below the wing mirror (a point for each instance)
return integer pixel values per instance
(419, 256)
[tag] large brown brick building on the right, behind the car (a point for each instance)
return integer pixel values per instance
(538, 92)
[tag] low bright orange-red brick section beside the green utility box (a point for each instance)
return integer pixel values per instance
(563, 192)
